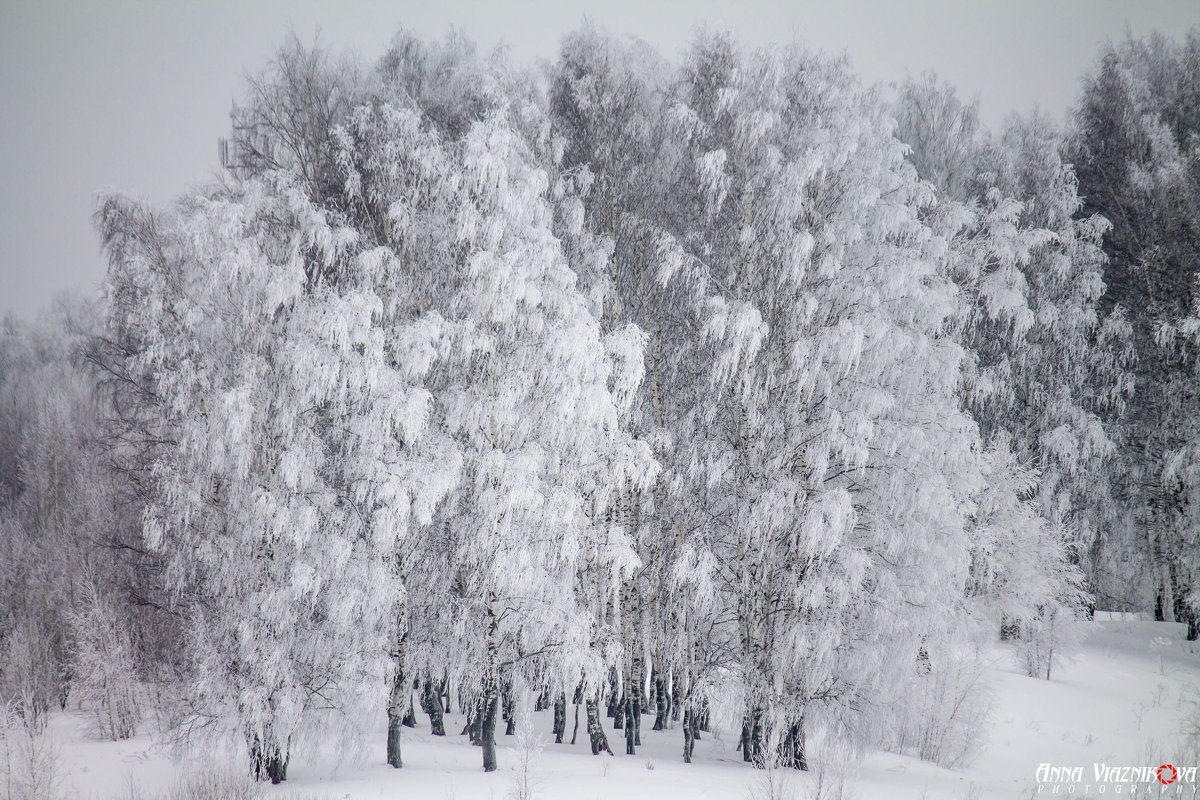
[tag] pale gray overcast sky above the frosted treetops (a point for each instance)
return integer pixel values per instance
(133, 95)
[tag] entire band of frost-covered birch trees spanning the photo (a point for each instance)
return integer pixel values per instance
(728, 389)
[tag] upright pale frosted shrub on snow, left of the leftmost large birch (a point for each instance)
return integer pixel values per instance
(103, 671)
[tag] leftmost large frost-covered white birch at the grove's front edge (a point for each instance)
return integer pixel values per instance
(296, 465)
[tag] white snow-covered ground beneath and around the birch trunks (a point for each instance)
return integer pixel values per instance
(1119, 703)
